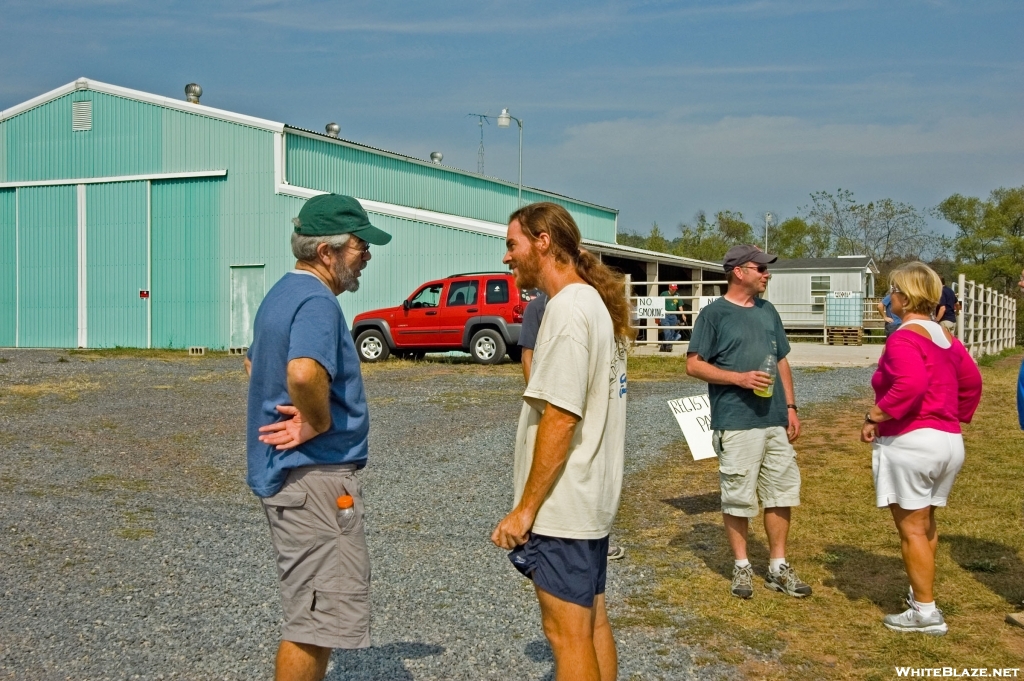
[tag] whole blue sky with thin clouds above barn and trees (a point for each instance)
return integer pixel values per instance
(657, 109)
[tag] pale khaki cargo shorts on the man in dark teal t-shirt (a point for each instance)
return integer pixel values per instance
(753, 464)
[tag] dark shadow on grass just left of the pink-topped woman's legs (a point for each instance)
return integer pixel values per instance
(861, 574)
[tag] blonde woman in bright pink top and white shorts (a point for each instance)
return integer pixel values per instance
(926, 386)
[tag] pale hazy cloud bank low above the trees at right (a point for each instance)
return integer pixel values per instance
(665, 169)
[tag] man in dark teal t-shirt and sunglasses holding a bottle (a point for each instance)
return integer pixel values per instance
(733, 338)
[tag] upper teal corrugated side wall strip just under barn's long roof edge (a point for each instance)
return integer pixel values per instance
(333, 167)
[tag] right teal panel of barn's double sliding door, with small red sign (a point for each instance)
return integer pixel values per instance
(116, 218)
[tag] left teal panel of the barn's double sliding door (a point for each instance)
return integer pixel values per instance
(49, 267)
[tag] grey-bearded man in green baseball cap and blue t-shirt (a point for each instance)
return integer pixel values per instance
(308, 432)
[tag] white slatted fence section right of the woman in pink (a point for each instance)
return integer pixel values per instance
(988, 322)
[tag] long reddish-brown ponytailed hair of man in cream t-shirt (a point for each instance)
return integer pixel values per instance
(552, 220)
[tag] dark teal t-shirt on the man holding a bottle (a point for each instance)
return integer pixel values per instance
(739, 339)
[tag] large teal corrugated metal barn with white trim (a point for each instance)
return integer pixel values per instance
(138, 221)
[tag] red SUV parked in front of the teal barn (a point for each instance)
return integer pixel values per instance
(477, 313)
